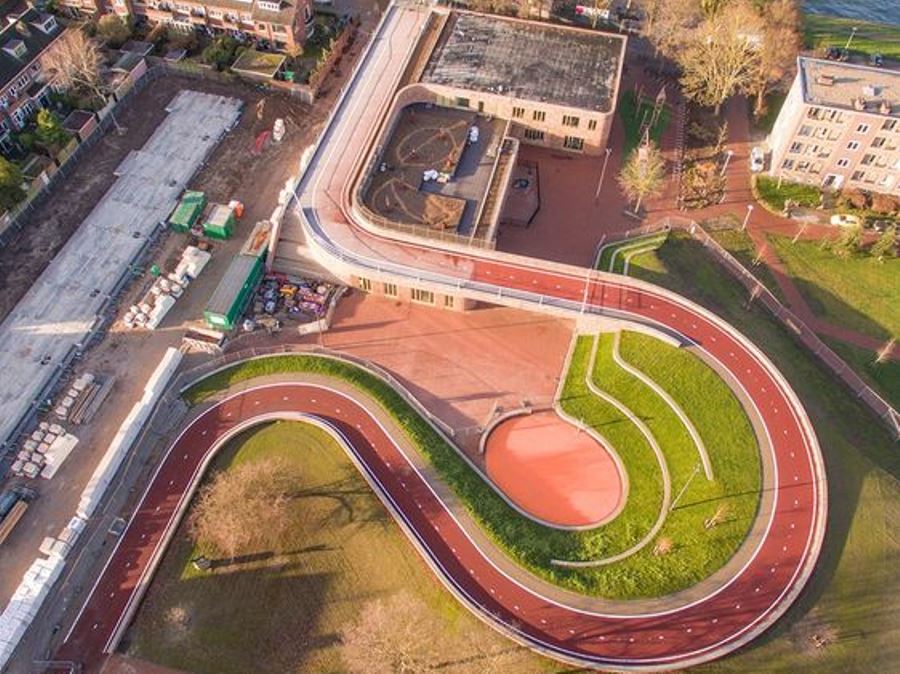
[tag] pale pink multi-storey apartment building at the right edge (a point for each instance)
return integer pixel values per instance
(839, 127)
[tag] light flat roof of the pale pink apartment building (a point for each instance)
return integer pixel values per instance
(845, 85)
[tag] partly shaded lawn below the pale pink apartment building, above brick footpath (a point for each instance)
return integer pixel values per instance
(857, 292)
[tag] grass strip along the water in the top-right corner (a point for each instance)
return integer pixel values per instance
(821, 31)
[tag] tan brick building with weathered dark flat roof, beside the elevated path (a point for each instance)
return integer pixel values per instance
(558, 85)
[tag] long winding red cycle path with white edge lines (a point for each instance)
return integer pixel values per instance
(701, 631)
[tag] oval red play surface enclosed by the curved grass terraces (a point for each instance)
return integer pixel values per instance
(553, 470)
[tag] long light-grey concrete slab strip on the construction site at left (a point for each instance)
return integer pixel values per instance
(59, 310)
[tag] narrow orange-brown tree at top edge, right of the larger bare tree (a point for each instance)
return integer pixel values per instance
(778, 49)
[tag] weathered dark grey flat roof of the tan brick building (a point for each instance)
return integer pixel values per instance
(527, 60)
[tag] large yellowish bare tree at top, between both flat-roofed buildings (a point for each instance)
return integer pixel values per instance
(721, 59)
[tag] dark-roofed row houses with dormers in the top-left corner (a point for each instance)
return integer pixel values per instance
(24, 40)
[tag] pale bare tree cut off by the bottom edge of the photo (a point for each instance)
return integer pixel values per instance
(396, 635)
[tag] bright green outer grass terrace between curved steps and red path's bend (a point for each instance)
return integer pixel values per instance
(726, 431)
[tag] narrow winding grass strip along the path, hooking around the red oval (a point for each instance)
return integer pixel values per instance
(529, 543)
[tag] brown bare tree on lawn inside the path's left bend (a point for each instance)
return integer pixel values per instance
(245, 507)
